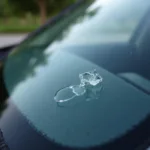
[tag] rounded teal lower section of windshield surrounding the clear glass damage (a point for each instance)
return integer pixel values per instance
(34, 96)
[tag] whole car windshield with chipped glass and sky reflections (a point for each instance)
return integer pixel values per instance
(84, 73)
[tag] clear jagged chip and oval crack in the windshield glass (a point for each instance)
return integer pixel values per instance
(90, 86)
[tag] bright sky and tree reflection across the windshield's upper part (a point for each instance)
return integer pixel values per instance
(96, 22)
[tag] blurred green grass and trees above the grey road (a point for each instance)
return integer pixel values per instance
(22, 16)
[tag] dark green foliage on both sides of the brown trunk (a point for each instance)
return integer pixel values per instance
(21, 7)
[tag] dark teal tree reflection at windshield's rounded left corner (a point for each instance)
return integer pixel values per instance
(22, 64)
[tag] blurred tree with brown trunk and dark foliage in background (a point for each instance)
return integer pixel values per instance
(40, 7)
